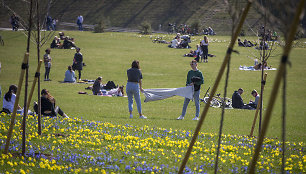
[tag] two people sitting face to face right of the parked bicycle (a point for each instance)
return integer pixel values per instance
(238, 103)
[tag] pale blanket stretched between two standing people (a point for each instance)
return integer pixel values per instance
(163, 93)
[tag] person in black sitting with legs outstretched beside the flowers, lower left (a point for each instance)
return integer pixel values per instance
(48, 107)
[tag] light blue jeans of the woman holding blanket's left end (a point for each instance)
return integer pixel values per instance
(132, 89)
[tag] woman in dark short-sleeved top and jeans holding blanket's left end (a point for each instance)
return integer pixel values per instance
(134, 84)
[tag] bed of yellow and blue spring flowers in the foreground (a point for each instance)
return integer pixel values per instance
(80, 146)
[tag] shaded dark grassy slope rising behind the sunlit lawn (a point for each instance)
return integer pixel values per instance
(129, 14)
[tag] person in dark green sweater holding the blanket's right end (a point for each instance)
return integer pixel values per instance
(195, 78)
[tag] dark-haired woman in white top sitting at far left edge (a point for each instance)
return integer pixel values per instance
(9, 100)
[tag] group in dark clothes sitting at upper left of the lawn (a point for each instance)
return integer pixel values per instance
(63, 42)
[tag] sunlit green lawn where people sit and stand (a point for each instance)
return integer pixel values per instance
(110, 54)
